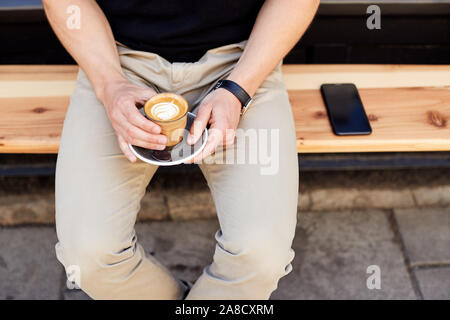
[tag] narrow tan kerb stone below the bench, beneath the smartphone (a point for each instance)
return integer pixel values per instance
(340, 199)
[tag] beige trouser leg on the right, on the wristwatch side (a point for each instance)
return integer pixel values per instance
(256, 202)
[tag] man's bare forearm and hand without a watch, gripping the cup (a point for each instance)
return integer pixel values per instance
(94, 49)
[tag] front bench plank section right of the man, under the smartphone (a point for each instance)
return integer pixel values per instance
(402, 119)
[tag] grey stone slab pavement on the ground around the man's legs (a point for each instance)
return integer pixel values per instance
(333, 251)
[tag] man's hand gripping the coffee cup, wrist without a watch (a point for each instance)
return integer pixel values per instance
(120, 101)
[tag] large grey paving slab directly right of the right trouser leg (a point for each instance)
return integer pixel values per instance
(333, 252)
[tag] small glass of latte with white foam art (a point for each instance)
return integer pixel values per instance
(169, 111)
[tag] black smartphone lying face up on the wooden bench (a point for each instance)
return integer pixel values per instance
(345, 109)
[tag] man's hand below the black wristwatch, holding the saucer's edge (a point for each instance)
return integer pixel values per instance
(221, 109)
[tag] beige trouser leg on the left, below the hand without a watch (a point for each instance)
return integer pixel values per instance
(98, 194)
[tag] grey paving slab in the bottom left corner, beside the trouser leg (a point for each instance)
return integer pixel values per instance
(28, 265)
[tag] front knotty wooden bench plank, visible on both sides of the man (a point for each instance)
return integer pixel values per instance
(403, 119)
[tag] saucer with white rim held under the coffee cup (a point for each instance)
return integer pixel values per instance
(181, 153)
